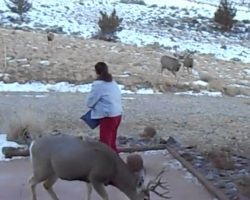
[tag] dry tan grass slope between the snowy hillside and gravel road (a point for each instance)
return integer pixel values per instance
(72, 59)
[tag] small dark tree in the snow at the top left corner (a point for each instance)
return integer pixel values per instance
(19, 6)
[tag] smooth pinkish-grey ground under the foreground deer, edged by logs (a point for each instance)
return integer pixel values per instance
(181, 184)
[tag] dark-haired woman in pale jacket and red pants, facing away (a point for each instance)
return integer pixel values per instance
(104, 101)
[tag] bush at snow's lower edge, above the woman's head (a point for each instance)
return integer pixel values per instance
(108, 25)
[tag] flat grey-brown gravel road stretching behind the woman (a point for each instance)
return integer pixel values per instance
(207, 122)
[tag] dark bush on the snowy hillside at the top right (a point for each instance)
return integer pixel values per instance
(225, 14)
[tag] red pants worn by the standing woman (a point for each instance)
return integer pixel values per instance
(108, 131)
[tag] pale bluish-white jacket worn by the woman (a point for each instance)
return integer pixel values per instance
(104, 99)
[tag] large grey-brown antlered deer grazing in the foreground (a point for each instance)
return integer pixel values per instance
(71, 158)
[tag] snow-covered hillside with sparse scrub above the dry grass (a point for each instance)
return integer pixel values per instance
(172, 24)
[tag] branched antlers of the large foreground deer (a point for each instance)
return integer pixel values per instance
(158, 183)
